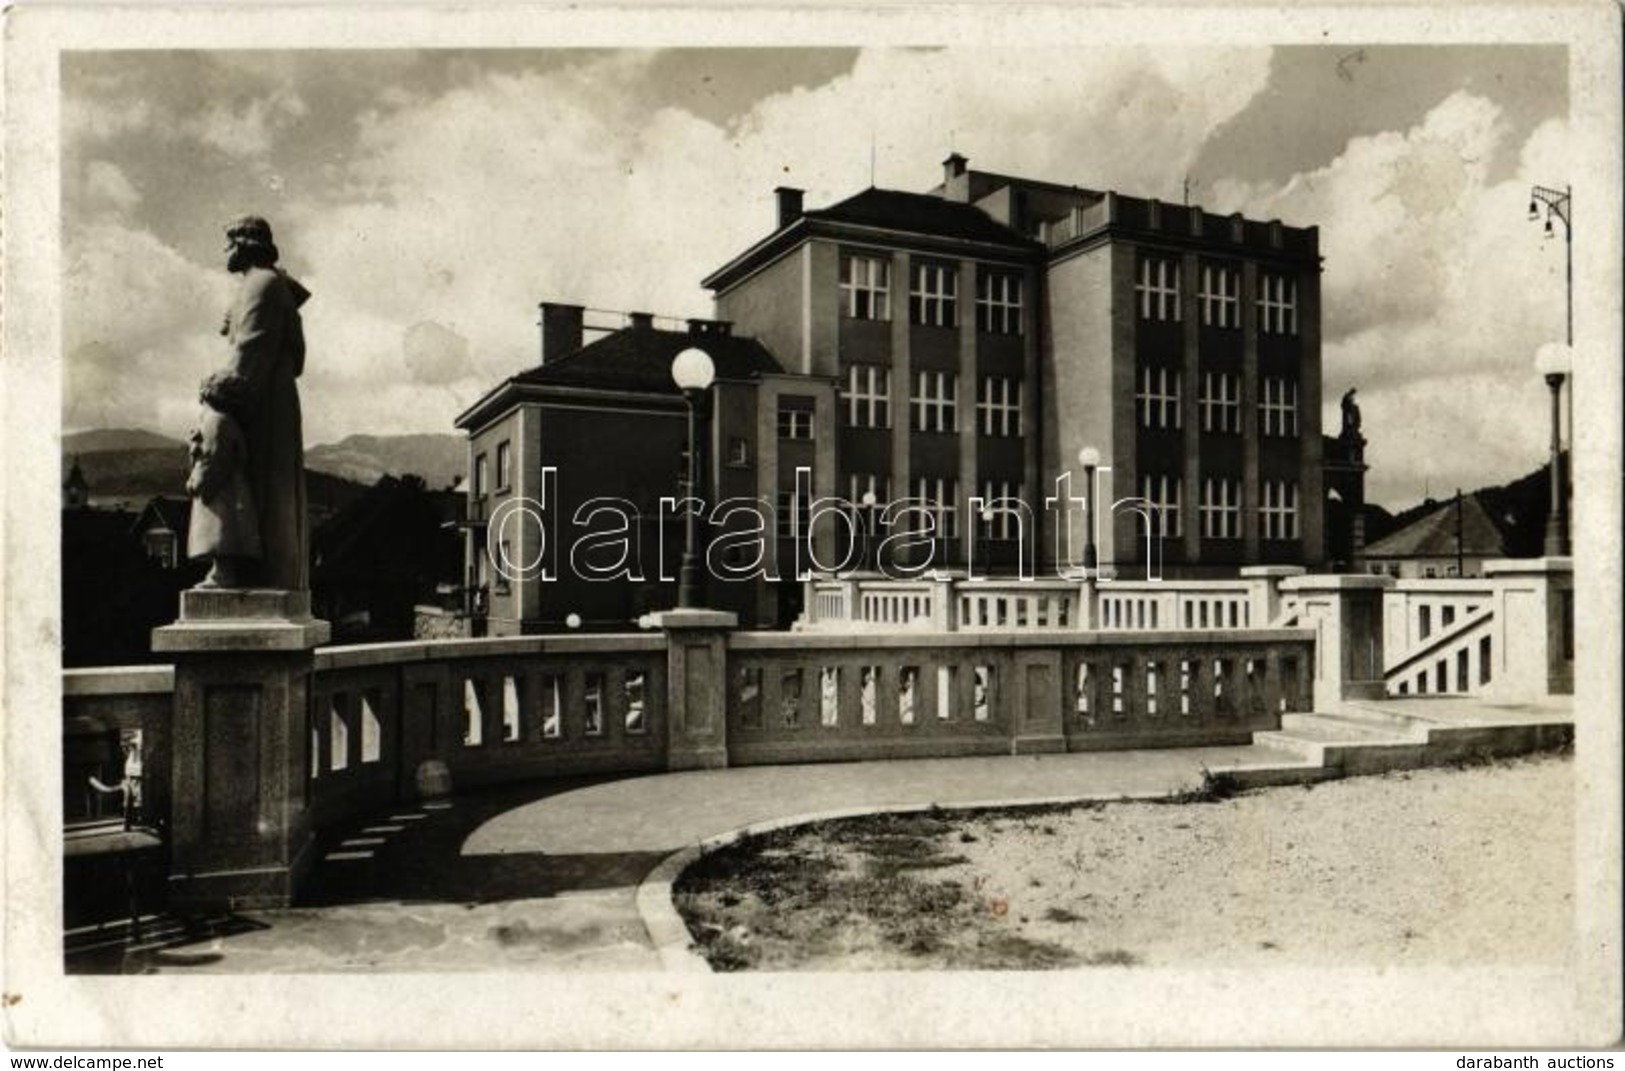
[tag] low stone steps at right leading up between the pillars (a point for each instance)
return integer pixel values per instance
(1384, 735)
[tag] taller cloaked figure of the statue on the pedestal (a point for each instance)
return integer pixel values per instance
(267, 352)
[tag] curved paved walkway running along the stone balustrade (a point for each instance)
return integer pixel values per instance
(545, 877)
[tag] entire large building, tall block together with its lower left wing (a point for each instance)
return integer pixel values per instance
(934, 365)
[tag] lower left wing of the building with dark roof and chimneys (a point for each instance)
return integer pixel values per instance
(571, 461)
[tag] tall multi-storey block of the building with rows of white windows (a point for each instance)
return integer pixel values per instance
(989, 331)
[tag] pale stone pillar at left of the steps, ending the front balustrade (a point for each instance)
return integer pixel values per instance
(1346, 614)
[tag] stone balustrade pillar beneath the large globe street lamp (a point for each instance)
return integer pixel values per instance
(698, 687)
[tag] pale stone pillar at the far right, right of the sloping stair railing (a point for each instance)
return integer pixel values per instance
(1535, 605)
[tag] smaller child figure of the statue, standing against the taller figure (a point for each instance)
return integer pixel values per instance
(225, 524)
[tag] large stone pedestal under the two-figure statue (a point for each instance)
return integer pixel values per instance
(240, 771)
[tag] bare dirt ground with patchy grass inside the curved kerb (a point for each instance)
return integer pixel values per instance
(1452, 867)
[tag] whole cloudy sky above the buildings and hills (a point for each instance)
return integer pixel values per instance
(431, 199)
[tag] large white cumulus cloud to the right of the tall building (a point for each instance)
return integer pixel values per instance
(1437, 293)
